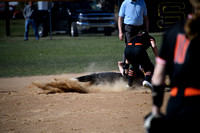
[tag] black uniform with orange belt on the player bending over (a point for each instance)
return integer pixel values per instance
(135, 53)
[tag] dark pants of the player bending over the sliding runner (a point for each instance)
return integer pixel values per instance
(137, 55)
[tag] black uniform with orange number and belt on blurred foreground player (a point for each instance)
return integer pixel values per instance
(181, 56)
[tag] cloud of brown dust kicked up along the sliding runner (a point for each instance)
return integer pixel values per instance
(73, 85)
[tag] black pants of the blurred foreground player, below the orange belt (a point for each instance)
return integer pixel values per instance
(183, 113)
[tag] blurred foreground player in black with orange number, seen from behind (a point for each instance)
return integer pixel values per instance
(178, 58)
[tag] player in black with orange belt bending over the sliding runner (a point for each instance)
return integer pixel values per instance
(136, 55)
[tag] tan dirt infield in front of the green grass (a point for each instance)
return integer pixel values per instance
(110, 108)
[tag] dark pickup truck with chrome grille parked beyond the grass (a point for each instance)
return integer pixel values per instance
(74, 17)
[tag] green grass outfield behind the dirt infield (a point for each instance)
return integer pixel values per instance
(63, 54)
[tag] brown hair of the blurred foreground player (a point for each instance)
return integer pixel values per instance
(192, 28)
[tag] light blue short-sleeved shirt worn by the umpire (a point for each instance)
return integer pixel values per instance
(133, 12)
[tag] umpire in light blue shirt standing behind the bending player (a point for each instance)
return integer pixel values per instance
(134, 14)
